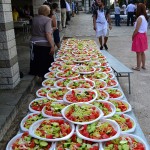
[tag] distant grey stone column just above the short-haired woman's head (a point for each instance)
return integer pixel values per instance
(36, 5)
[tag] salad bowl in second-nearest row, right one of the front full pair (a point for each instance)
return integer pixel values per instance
(99, 131)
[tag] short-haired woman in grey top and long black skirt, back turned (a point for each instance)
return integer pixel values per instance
(41, 43)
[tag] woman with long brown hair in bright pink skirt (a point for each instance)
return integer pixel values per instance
(139, 37)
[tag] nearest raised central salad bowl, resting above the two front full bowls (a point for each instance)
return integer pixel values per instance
(82, 113)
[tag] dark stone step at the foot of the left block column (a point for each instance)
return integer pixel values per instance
(10, 101)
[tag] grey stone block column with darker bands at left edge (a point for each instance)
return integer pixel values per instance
(9, 69)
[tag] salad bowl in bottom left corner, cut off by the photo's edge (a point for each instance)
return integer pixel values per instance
(25, 141)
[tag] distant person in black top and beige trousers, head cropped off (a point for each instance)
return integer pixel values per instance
(63, 12)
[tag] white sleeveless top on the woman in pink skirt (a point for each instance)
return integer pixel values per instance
(144, 24)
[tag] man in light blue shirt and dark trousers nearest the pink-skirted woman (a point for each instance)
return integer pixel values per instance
(130, 12)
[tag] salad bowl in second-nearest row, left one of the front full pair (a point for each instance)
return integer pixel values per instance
(52, 129)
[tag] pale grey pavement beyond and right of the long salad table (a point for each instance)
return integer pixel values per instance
(119, 44)
